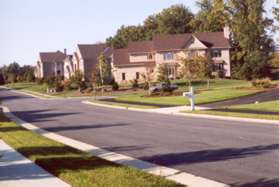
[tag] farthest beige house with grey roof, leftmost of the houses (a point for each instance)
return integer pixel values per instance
(50, 64)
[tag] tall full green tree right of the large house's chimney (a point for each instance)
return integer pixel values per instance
(251, 43)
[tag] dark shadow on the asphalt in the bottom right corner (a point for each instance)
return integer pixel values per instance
(259, 183)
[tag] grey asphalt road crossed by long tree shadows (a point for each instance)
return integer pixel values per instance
(236, 153)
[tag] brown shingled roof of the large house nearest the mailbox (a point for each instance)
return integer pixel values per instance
(166, 43)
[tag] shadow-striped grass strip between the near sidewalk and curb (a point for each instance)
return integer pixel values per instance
(72, 166)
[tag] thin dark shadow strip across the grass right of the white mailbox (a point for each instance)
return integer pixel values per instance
(247, 111)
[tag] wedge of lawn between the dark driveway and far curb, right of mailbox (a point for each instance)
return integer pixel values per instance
(265, 110)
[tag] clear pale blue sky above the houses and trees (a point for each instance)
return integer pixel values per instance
(28, 27)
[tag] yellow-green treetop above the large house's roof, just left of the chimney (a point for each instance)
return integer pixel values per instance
(212, 16)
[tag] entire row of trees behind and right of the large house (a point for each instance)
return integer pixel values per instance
(252, 42)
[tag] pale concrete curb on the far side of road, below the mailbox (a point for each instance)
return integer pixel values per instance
(206, 116)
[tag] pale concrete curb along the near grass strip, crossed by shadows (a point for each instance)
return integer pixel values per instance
(169, 173)
